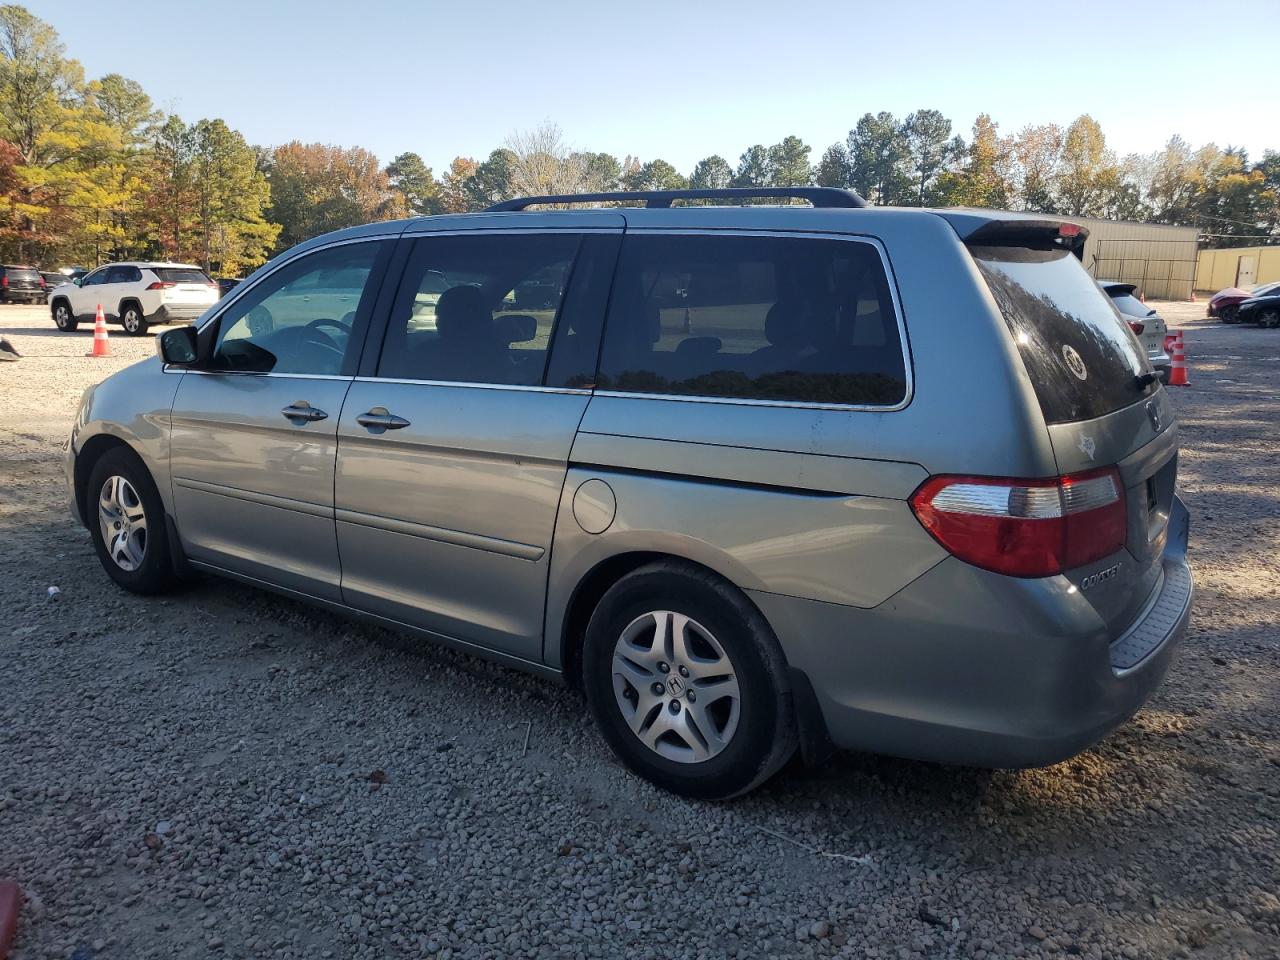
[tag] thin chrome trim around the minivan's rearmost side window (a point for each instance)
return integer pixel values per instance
(904, 345)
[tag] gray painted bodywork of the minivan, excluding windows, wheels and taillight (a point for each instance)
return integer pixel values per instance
(479, 523)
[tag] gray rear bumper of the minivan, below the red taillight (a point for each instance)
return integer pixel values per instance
(973, 669)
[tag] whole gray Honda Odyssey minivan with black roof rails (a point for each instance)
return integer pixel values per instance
(883, 479)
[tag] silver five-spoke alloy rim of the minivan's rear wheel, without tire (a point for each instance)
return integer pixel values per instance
(676, 688)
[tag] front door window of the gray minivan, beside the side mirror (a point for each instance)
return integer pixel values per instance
(300, 319)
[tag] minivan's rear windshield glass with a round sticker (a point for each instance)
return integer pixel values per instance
(1084, 362)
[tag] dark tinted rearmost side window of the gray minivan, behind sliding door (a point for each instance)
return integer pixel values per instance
(753, 318)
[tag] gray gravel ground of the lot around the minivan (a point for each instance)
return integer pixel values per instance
(227, 774)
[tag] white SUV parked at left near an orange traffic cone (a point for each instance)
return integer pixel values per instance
(135, 295)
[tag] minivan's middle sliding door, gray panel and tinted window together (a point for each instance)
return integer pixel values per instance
(454, 451)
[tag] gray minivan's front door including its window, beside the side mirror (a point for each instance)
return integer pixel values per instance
(255, 429)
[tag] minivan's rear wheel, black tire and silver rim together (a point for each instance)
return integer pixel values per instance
(688, 683)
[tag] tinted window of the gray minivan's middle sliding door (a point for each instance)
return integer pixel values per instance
(478, 309)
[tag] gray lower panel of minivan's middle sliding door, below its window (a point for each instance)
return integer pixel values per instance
(447, 523)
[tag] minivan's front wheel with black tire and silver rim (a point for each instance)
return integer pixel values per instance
(127, 520)
